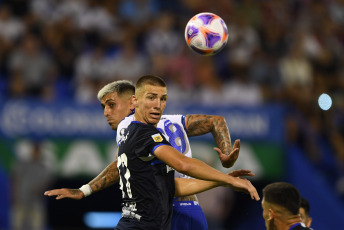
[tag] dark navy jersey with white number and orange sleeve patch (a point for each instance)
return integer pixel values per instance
(147, 183)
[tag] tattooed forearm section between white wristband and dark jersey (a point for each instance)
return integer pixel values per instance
(106, 178)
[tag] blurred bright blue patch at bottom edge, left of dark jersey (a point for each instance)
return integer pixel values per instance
(102, 219)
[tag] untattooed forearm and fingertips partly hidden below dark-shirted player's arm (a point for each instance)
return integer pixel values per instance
(186, 187)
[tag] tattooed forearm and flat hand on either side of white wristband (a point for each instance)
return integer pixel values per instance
(105, 179)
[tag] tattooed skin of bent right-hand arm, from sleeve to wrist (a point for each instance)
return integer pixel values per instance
(197, 125)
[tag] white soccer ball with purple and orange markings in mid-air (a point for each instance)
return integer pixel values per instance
(206, 33)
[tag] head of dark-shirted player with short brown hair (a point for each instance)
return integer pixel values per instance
(150, 99)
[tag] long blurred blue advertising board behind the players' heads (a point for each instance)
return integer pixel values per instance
(32, 119)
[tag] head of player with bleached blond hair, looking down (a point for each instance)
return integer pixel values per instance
(116, 100)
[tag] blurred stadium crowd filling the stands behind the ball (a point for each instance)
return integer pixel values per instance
(279, 51)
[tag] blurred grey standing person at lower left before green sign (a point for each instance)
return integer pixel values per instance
(30, 178)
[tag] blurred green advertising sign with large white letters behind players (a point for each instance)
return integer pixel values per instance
(83, 157)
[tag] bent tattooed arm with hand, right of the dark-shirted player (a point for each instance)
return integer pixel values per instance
(197, 125)
